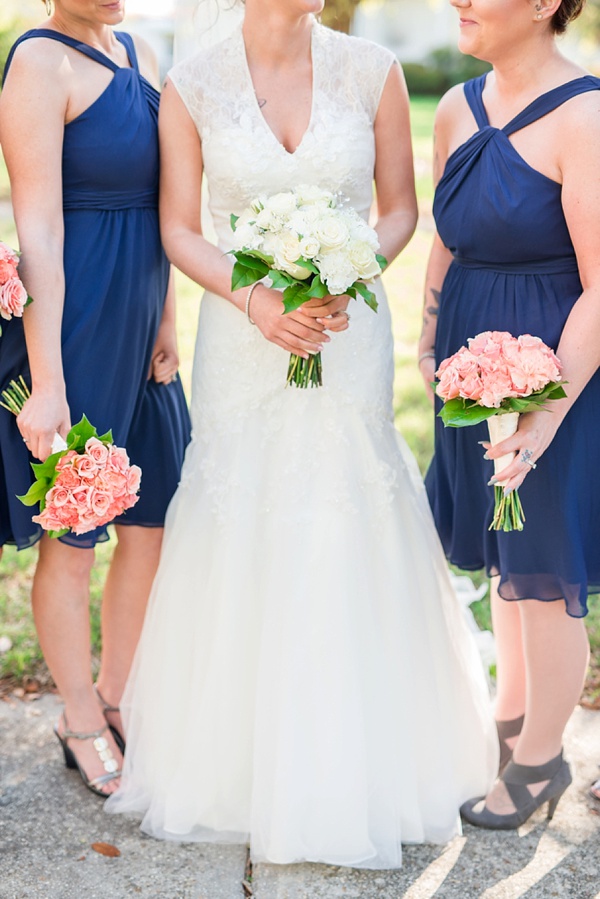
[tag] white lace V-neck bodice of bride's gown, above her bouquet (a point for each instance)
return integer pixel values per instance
(242, 156)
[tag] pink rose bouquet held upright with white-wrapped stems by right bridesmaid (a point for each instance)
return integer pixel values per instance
(496, 378)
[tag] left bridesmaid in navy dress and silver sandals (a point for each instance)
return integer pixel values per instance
(78, 126)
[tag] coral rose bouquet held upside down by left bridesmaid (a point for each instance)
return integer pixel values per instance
(85, 483)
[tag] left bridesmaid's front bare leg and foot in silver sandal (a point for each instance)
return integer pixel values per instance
(60, 599)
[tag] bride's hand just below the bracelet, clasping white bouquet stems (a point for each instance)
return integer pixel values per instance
(295, 332)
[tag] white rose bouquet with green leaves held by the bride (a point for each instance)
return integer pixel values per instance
(310, 247)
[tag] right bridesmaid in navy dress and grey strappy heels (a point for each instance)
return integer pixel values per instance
(525, 140)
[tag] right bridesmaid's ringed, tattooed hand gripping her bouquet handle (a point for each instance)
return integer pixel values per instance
(533, 437)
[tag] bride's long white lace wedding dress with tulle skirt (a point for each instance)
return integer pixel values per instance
(305, 680)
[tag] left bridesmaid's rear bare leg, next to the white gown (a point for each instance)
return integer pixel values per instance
(126, 592)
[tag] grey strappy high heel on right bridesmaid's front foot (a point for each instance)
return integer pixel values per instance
(516, 778)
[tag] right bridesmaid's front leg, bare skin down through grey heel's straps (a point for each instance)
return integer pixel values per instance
(556, 657)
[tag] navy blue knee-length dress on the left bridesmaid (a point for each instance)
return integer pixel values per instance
(116, 276)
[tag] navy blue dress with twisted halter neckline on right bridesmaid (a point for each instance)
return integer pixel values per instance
(514, 269)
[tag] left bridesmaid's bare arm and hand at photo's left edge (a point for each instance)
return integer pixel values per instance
(31, 132)
